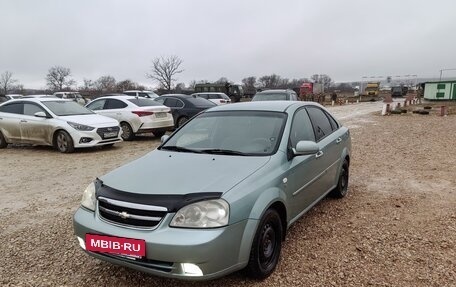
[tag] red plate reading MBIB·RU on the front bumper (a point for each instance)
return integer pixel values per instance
(129, 247)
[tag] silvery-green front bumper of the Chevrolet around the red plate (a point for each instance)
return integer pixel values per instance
(216, 252)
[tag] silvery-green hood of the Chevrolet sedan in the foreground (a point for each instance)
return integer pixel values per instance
(178, 173)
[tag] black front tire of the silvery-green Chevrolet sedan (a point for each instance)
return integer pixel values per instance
(266, 246)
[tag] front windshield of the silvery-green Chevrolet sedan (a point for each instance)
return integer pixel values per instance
(237, 133)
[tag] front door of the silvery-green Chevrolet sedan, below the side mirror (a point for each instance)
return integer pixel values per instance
(305, 172)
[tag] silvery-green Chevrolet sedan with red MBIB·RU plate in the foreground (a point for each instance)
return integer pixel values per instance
(219, 194)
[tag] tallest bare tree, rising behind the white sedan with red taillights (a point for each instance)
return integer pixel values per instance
(164, 69)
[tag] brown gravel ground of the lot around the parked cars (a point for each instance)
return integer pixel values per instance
(397, 226)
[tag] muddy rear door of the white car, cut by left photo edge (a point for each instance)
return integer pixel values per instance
(10, 117)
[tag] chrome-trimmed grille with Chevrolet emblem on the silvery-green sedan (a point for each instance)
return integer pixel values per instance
(130, 214)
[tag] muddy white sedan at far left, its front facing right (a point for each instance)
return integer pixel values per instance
(55, 122)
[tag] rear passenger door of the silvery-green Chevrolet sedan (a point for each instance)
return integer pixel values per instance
(329, 142)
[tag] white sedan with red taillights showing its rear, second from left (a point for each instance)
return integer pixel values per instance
(136, 115)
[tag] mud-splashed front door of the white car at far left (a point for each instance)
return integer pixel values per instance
(35, 130)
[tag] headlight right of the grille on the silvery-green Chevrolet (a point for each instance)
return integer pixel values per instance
(203, 214)
